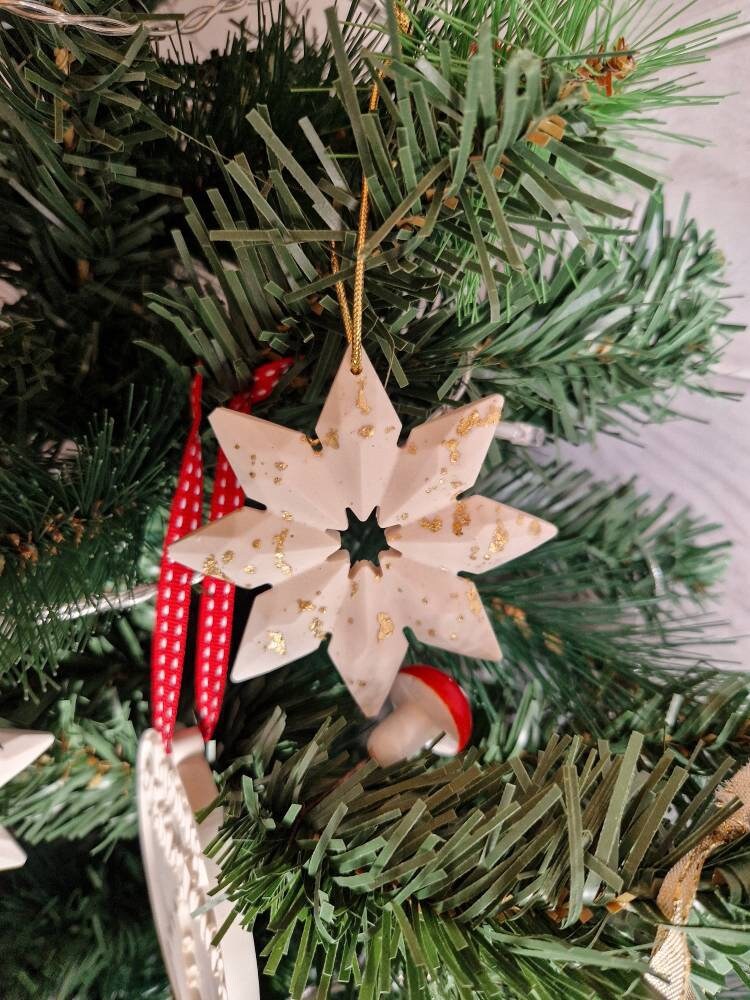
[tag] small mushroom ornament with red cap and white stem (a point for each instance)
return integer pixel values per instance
(426, 702)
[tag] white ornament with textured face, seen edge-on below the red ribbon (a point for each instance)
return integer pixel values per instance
(171, 789)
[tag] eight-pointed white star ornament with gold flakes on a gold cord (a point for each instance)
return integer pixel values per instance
(295, 544)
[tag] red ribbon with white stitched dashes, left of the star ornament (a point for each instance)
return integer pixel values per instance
(217, 598)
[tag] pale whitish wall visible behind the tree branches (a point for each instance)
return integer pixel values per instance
(704, 461)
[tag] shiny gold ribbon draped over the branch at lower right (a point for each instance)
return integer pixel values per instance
(670, 959)
